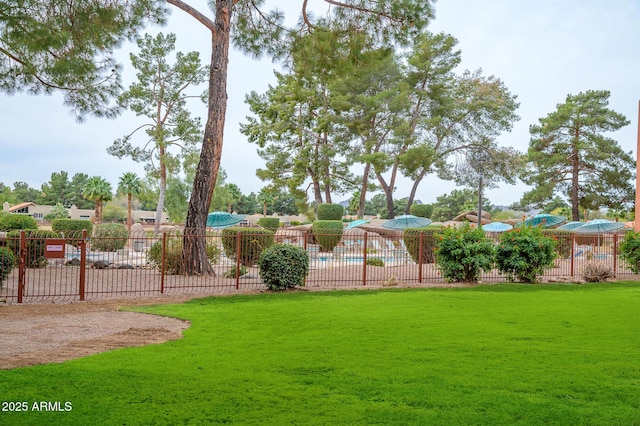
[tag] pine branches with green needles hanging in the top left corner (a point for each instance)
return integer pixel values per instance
(52, 45)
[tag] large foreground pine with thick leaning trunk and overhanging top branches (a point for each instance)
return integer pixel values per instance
(259, 32)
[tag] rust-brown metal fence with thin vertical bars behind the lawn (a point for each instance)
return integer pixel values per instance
(81, 268)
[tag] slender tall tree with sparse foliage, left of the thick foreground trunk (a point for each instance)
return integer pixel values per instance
(160, 95)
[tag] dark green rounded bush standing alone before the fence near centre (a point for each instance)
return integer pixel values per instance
(283, 266)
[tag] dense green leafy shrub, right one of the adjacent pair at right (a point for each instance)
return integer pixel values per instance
(523, 254)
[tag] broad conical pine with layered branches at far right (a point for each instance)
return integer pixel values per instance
(571, 153)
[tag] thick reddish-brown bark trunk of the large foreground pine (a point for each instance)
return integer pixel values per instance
(194, 254)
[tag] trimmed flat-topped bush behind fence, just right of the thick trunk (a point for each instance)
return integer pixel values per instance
(252, 242)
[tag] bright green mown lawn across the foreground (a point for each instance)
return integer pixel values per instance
(503, 354)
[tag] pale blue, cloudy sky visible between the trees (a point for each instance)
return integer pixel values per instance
(541, 50)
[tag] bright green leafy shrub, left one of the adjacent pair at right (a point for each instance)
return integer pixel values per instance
(463, 253)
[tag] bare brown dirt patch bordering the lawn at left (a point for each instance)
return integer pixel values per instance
(45, 333)
